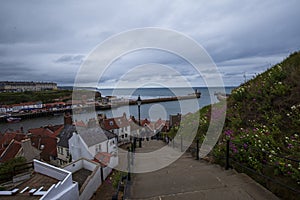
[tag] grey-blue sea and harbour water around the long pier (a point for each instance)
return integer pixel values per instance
(152, 111)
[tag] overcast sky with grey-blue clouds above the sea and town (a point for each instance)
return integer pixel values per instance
(49, 40)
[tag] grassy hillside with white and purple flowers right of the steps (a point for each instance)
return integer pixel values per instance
(263, 125)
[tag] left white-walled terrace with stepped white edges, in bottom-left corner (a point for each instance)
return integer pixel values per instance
(47, 182)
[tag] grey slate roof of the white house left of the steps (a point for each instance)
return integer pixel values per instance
(93, 136)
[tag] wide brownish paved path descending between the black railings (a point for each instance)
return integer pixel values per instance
(187, 178)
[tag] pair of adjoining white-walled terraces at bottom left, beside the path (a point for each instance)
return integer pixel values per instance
(77, 181)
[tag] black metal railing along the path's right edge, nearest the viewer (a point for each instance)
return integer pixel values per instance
(259, 175)
